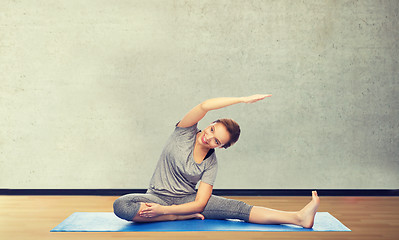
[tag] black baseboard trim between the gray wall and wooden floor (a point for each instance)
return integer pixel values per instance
(220, 192)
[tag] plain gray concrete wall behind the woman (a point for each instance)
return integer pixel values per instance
(90, 90)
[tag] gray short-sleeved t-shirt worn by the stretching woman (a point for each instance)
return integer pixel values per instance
(177, 173)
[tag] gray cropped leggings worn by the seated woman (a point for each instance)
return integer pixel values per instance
(127, 206)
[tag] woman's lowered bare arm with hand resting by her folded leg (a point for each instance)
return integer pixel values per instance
(203, 194)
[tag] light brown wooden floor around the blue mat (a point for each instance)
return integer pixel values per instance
(32, 217)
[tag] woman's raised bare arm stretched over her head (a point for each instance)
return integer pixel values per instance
(199, 111)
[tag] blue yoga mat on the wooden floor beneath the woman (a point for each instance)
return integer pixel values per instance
(108, 222)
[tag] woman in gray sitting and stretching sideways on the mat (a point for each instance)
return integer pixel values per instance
(188, 158)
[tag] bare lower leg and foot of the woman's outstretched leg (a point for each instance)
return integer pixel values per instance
(304, 217)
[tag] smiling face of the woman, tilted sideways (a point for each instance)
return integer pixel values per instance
(215, 135)
